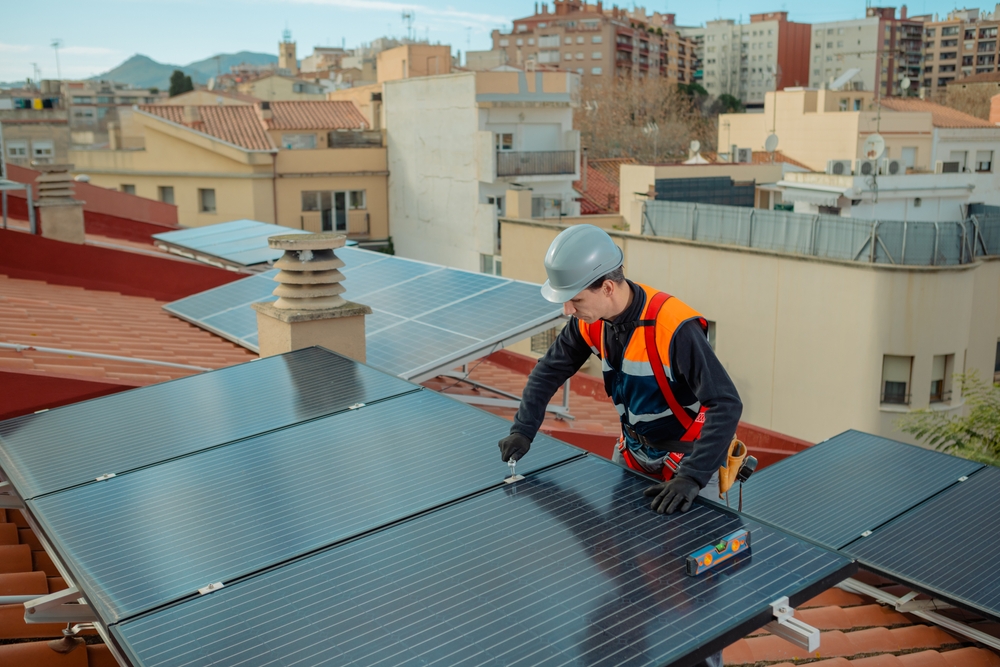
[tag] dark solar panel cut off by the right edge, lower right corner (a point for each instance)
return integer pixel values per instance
(945, 546)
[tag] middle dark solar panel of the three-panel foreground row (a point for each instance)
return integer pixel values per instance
(230, 511)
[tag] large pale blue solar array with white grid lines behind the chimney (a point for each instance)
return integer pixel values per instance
(425, 318)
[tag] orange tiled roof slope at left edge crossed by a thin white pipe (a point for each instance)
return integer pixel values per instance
(39, 314)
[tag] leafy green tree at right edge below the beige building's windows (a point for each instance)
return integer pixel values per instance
(975, 436)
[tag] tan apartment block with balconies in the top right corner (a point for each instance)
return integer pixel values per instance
(963, 44)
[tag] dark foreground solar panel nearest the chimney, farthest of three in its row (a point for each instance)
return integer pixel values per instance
(76, 443)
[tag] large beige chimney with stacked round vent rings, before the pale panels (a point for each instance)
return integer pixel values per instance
(310, 309)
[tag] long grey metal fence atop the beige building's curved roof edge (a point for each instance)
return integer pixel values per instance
(829, 236)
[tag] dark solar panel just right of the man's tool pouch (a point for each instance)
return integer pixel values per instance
(834, 491)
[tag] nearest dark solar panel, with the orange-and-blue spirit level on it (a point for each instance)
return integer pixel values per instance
(568, 566)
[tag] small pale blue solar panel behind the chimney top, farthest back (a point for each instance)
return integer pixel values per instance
(238, 243)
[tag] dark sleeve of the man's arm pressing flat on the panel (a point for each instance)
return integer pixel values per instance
(694, 360)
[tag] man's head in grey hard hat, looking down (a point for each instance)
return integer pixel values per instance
(585, 273)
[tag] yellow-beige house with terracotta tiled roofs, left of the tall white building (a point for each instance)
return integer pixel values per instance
(308, 165)
